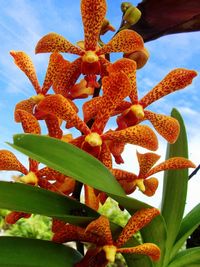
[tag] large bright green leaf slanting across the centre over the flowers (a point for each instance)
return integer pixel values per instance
(75, 163)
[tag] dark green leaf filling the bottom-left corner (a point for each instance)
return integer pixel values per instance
(24, 252)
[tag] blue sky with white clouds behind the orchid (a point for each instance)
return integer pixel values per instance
(24, 22)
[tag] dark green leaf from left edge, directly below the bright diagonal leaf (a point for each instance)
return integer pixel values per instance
(31, 199)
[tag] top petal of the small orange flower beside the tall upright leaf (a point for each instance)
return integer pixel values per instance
(146, 162)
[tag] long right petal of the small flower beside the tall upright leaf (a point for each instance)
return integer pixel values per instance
(171, 164)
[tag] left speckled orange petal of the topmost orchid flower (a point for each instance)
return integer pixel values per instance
(54, 42)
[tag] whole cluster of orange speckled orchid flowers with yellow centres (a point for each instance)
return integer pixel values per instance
(115, 94)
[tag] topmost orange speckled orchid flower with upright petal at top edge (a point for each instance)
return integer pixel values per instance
(91, 61)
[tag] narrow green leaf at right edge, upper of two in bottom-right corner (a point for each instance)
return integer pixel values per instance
(188, 225)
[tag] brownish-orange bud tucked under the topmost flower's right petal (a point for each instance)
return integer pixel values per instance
(140, 57)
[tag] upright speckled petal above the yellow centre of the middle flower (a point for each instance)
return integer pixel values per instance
(115, 88)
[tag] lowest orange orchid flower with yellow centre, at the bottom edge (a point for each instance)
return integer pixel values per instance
(98, 233)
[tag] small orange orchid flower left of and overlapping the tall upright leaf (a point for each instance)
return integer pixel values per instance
(130, 181)
